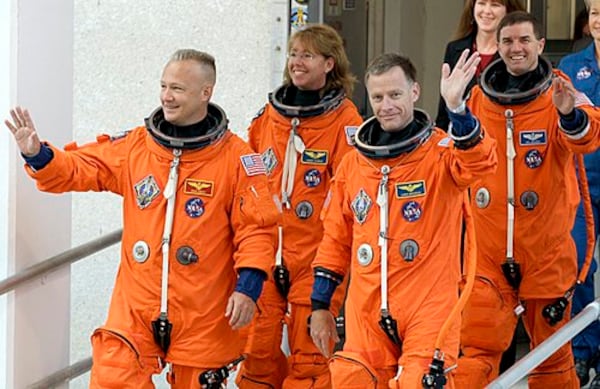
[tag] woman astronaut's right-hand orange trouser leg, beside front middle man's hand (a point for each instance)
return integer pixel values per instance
(307, 367)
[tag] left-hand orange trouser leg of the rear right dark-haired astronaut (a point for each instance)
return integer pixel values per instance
(487, 328)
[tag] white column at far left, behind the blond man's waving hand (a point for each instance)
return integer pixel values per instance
(36, 225)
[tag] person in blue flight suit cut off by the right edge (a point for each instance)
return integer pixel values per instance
(582, 68)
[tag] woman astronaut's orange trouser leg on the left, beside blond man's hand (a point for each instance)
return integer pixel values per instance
(265, 365)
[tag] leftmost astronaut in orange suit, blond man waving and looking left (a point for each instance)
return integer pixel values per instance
(198, 236)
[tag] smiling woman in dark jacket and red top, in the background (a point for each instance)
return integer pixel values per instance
(477, 32)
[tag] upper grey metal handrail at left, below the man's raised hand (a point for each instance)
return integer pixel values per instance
(70, 256)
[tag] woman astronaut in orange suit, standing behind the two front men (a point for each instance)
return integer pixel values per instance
(302, 135)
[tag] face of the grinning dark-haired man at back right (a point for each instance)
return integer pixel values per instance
(519, 48)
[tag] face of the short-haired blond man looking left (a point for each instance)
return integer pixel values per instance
(185, 92)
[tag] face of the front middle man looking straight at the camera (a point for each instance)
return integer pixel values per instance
(392, 98)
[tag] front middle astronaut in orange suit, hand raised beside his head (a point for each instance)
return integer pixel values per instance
(393, 226)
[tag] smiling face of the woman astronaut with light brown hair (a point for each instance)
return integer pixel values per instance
(308, 70)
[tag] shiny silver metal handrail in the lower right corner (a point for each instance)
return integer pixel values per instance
(548, 347)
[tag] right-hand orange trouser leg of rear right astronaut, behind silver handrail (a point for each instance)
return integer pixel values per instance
(558, 371)
